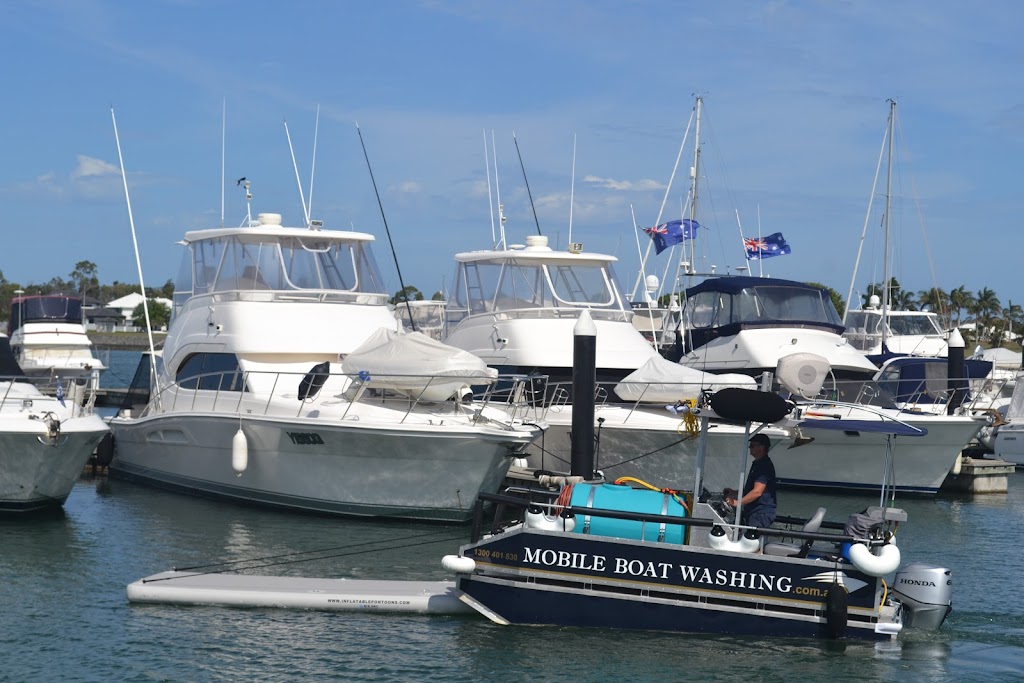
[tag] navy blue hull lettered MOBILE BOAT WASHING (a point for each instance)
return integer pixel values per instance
(527, 577)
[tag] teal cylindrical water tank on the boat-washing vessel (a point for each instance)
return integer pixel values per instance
(627, 499)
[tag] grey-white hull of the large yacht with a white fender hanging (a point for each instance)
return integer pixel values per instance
(418, 473)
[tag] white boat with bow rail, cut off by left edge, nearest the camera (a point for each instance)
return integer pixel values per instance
(46, 441)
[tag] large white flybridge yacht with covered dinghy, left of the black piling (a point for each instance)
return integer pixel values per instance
(283, 382)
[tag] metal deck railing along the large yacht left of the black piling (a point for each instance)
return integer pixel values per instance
(270, 393)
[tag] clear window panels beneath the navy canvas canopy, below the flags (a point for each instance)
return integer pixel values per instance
(762, 305)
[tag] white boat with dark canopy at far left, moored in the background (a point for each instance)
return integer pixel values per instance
(50, 340)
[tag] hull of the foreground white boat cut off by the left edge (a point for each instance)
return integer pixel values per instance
(36, 476)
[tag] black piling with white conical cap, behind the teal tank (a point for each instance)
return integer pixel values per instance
(584, 381)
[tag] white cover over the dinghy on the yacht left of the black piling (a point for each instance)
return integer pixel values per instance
(417, 366)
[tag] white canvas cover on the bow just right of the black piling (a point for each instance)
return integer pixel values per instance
(661, 381)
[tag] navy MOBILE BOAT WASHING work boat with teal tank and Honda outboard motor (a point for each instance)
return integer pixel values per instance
(610, 556)
